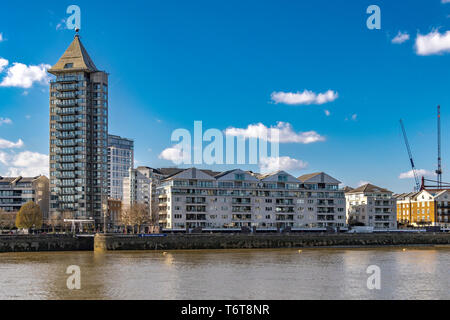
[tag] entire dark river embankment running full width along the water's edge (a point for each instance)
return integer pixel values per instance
(101, 242)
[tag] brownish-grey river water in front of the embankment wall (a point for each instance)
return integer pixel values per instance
(411, 273)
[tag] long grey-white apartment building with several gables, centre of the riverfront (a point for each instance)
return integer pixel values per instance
(234, 199)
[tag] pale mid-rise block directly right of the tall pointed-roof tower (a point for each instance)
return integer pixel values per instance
(120, 160)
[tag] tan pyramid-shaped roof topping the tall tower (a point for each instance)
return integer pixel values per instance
(77, 55)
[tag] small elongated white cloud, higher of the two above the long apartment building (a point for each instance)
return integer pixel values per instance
(305, 97)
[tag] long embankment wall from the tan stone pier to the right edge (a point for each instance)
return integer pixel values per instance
(260, 241)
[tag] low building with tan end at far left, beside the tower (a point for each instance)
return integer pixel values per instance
(16, 191)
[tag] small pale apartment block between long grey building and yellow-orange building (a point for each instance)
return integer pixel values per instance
(371, 206)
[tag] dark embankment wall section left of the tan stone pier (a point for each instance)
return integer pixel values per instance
(35, 243)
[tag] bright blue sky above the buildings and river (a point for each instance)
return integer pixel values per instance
(174, 62)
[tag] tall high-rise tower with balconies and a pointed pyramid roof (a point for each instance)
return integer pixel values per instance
(78, 137)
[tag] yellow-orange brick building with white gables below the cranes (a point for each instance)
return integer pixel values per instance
(427, 207)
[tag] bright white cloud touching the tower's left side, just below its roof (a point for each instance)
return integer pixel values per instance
(23, 76)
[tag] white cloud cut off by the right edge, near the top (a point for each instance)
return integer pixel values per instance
(432, 43)
